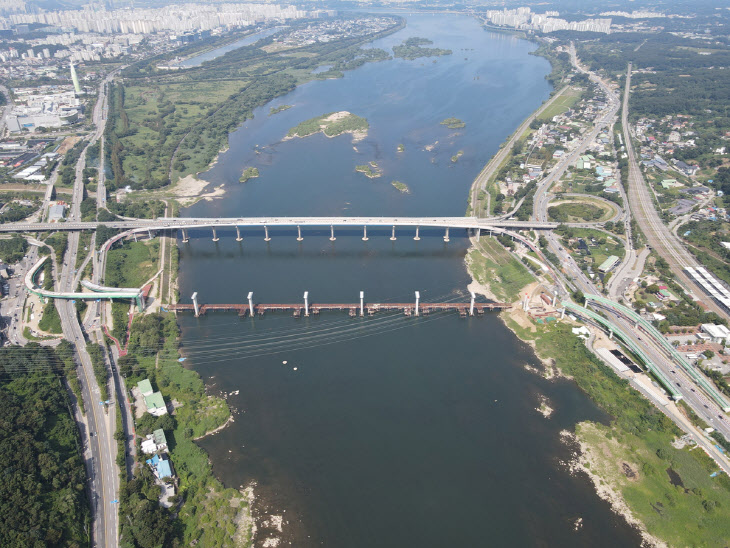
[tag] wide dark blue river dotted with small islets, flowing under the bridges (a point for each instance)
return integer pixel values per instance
(385, 431)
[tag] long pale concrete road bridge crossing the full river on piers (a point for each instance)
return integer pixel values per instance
(178, 223)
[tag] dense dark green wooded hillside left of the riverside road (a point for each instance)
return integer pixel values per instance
(42, 477)
